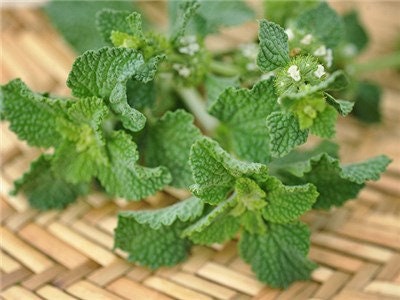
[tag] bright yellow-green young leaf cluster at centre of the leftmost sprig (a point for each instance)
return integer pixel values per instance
(83, 147)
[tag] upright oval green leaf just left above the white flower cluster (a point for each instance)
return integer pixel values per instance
(274, 47)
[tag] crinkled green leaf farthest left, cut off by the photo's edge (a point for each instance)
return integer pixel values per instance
(32, 117)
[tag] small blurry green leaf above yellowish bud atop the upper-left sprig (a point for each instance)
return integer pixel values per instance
(109, 20)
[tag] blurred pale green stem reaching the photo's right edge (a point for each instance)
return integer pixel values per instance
(389, 61)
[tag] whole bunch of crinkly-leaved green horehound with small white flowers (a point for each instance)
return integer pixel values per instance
(151, 111)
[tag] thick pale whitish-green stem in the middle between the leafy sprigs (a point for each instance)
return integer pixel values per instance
(196, 104)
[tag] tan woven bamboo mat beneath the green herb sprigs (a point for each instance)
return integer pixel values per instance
(67, 255)
